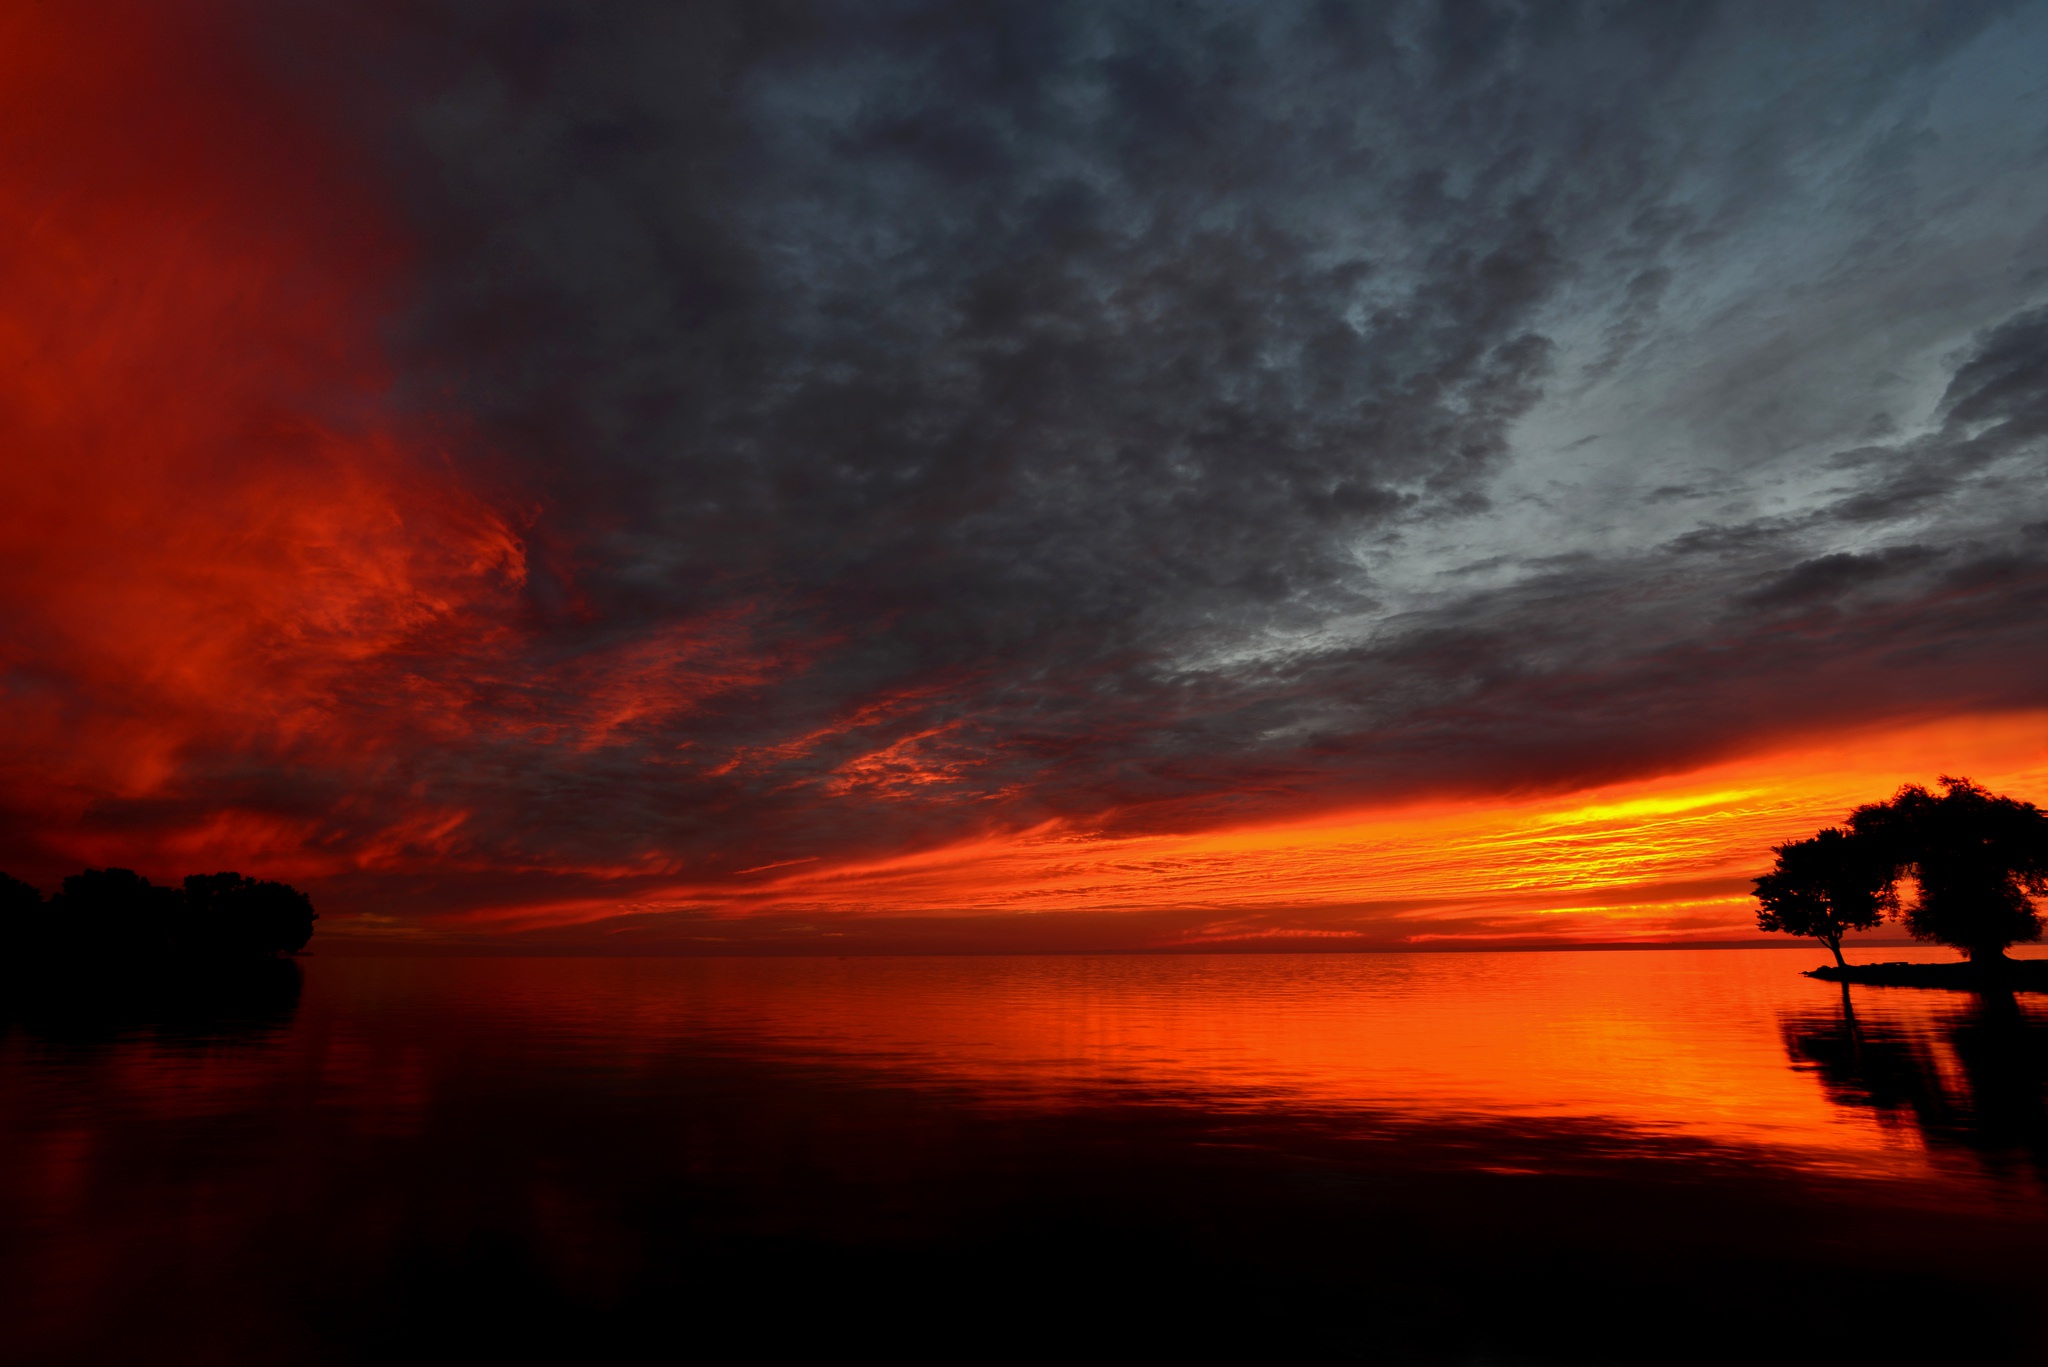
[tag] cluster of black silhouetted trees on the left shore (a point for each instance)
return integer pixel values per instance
(120, 917)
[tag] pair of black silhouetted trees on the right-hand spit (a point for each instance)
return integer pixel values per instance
(1975, 860)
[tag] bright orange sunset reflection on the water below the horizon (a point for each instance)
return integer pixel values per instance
(1654, 1046)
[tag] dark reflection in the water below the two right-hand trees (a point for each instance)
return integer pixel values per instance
(1967, 1079)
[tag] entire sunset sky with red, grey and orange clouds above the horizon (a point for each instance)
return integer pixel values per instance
(630, 477)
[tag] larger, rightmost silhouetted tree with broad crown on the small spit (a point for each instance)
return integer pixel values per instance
(1979, 860)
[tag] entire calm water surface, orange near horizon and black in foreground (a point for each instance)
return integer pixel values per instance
(1525, 1157)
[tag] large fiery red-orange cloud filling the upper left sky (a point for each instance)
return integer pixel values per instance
(208, 526)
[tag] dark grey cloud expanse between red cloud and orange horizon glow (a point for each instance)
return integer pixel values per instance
(935, 417)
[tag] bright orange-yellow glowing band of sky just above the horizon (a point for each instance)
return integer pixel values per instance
(1656, 860)
